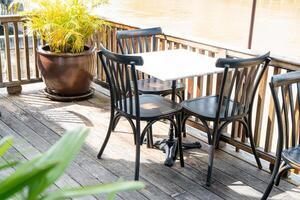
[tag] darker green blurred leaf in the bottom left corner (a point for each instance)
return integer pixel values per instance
(23, 176)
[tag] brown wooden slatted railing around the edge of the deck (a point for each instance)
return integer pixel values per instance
(24, 70)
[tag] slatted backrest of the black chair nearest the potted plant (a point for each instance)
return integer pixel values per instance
(122, 80)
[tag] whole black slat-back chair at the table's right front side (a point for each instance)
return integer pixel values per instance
(233, 103)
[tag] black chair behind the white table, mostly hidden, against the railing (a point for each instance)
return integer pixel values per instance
(145, 40)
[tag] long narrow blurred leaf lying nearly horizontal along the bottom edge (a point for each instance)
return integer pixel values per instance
(111, 188)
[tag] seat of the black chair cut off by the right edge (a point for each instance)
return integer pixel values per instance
(292, 156)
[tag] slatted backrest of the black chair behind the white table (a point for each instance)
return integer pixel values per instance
(138, 41)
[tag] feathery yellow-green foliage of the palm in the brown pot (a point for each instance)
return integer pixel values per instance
(67, 25)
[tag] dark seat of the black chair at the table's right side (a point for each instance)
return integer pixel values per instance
(206, 108)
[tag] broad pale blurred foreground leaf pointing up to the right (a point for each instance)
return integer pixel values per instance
(64, 151)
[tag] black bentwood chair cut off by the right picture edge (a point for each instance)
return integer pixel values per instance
(285, 89)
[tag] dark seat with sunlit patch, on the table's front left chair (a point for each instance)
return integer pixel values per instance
(154, 106)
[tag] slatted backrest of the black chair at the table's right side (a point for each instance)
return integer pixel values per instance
(240, 81)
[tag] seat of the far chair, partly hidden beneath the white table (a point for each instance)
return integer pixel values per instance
(156, 86)
